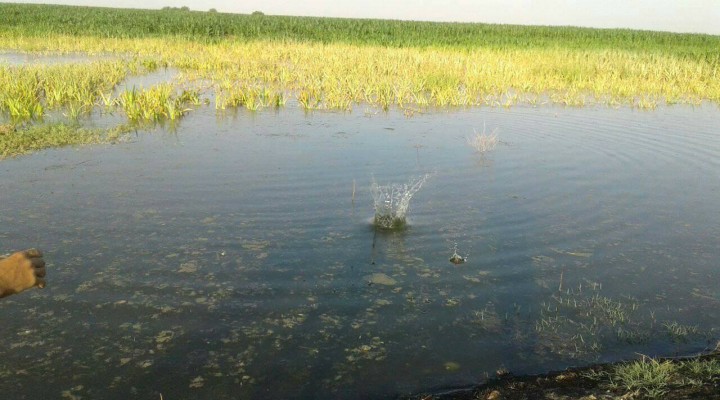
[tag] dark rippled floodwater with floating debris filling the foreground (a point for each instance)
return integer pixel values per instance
(229, 259)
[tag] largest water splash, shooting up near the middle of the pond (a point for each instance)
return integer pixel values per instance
(392, 202)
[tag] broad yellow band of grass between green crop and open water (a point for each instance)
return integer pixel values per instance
(339, 76)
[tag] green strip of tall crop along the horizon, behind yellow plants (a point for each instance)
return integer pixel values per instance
(44, 20)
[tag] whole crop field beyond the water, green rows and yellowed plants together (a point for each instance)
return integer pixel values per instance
(257, 61)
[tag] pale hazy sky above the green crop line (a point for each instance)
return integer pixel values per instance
(699, 16)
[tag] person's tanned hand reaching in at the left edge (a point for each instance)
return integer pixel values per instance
(21, 271)
